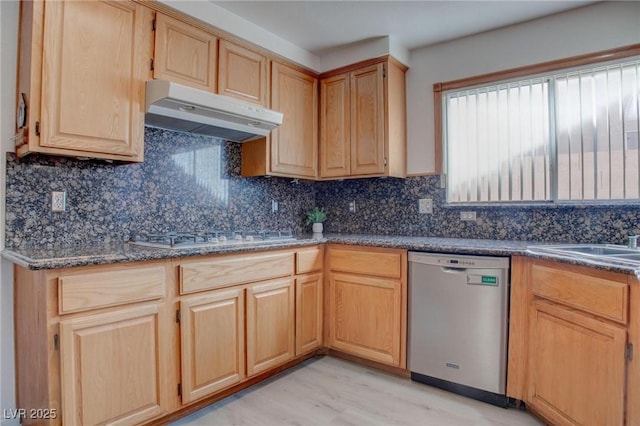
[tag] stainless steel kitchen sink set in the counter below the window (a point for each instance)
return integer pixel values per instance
(609, 253)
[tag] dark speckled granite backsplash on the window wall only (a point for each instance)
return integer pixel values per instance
(390, 206)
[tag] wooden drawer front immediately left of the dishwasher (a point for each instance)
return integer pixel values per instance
(371, 262)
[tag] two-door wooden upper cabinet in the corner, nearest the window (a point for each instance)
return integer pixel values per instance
(363, 121)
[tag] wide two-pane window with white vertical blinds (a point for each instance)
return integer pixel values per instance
(562, 136)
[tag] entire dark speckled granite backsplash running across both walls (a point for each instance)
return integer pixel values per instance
(192, 182)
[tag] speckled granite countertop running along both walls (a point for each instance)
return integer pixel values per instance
(116, 252)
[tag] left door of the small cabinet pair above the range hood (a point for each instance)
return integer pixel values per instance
(185, 54)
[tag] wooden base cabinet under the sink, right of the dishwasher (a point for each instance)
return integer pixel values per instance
(611, 319)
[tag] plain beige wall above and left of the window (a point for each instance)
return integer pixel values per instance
(589, 29)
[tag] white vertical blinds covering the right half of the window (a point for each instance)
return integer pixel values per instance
(597, 133)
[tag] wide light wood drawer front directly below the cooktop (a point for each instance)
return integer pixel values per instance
(232, 270)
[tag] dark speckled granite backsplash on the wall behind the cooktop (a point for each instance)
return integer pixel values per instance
(186, 183)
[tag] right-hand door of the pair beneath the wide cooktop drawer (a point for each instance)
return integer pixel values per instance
(270, 324)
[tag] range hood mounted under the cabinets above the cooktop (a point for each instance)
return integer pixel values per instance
(176, 107)
